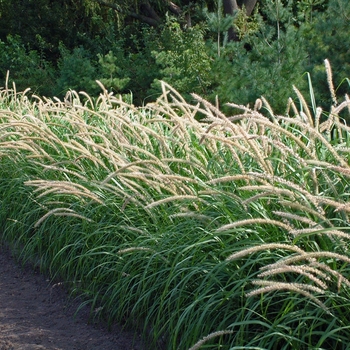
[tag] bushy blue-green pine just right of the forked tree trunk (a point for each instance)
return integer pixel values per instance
(264, 63)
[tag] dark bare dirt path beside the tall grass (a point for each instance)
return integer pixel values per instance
(35, 315)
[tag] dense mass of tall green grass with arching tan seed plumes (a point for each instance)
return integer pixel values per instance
(227, 232)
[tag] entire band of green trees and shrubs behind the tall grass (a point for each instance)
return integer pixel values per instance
(63, 45)
